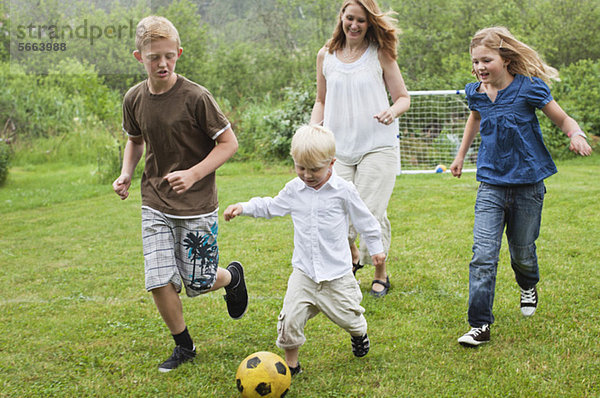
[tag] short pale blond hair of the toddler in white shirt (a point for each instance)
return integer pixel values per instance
(313, 146)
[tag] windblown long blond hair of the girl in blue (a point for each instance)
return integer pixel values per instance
(523, 59)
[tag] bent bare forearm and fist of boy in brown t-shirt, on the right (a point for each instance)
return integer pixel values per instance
(182, 180)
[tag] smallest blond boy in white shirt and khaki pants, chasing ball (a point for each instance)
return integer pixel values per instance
(321, 205)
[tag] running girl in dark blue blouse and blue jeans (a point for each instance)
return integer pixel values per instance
(511, 167)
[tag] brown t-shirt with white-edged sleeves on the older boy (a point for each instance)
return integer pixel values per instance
(179, 128)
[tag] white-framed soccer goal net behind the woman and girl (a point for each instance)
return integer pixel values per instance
(431, 132)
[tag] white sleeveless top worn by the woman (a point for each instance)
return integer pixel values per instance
(355, 94)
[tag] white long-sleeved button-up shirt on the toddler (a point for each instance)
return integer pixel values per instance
(321, 218)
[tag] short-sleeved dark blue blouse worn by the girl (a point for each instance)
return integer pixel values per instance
(512, 150)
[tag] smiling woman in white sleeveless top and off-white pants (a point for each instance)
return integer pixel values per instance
(355, 70)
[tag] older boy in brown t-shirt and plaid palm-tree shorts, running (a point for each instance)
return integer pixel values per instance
(187, 138)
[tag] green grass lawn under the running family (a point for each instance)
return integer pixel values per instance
(76, 320)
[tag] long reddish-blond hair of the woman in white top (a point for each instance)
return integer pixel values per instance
(382, 28)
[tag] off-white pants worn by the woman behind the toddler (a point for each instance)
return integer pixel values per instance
(374, 177)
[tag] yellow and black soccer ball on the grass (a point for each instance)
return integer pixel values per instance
(263, 374)
